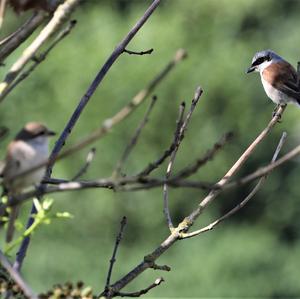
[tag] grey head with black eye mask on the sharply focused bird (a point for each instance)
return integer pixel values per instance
(262, 59)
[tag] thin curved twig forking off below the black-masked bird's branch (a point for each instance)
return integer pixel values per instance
(243, 202)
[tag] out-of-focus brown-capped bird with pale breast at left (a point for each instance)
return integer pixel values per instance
(27, 150)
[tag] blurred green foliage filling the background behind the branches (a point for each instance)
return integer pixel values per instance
(254, 253)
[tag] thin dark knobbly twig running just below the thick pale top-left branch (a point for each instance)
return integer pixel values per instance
(40, 58)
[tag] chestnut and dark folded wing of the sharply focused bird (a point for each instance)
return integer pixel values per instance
(284, 77)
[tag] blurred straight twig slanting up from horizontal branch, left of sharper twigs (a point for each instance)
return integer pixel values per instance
(134, 139)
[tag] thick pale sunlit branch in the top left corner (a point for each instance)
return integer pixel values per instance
(60, 15)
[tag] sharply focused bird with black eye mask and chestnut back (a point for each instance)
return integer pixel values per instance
(279, 78)
